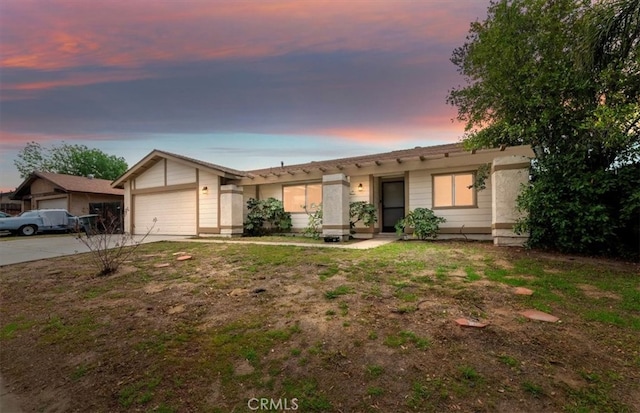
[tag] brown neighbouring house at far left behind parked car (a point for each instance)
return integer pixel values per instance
(79, 195)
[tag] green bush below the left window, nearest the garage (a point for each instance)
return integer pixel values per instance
(266, 216)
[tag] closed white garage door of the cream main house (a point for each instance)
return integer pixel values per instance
(175, 213)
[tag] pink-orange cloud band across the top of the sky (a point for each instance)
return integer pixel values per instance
(128, 34)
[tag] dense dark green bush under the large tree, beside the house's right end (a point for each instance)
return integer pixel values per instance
(575, 209)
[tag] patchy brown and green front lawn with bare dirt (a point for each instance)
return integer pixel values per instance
(241, 326)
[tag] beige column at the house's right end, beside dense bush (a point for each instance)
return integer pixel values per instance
(508, 174)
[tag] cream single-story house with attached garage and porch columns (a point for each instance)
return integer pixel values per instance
(187, 196)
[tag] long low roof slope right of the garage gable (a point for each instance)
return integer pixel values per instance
(417, 152)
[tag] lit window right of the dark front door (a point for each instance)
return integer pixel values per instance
(453, 190)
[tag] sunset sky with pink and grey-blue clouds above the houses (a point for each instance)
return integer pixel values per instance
(244, 84)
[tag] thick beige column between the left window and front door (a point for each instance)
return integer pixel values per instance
(335, 207)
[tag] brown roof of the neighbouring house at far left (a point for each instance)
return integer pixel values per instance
(69, 183)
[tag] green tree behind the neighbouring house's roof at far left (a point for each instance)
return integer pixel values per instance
(69, 159)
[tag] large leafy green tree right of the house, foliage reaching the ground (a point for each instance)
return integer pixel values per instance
(562, 76)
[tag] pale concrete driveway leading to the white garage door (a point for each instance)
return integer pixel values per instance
(14, 250)
